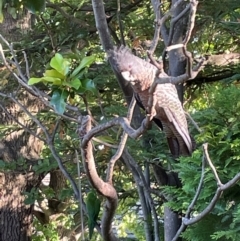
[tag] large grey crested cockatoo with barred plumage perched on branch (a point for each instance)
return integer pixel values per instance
(168, 112)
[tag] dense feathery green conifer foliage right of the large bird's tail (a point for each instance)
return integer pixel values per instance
(219, 119)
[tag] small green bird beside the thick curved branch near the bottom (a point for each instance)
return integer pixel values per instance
(93, 208)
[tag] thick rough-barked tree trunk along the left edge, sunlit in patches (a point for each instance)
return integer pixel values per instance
(18, 149)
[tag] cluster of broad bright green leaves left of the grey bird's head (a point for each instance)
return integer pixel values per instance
(64, 81)
